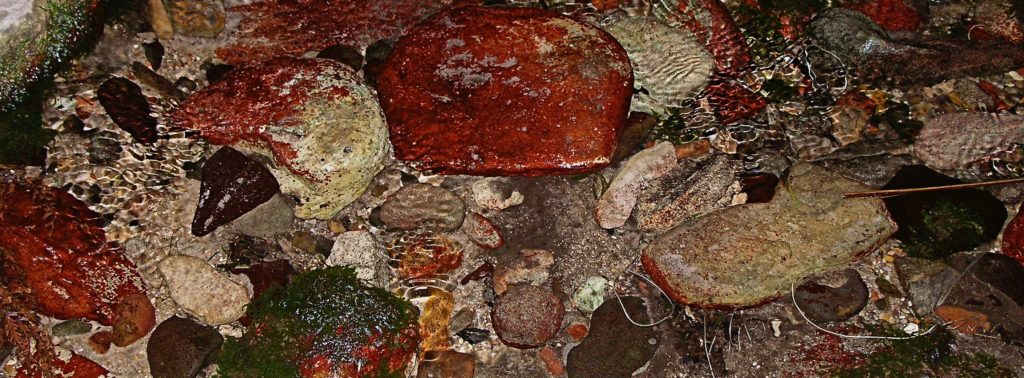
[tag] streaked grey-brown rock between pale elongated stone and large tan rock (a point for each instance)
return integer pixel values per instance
(695, 188)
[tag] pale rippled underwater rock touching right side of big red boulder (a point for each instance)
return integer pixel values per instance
(668, 63)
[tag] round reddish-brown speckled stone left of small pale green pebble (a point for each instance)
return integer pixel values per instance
(528, 316)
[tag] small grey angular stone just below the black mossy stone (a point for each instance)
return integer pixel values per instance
(925, 282)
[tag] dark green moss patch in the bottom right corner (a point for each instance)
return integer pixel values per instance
(926, 356)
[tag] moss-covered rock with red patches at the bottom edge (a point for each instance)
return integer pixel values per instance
(327, 315)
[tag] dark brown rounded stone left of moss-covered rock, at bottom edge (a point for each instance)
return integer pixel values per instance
(182, 348)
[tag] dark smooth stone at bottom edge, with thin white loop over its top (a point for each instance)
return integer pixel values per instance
(615, 348)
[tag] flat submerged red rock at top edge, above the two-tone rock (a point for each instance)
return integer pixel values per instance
(292, 28)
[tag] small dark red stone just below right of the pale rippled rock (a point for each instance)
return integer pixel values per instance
(733, 102)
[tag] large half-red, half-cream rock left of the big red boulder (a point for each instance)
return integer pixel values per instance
(317, 120)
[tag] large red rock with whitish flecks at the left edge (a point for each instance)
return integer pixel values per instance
(59, 250)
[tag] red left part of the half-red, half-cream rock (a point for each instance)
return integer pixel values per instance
(240, 107)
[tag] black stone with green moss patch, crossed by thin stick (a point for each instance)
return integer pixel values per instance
(936, 225)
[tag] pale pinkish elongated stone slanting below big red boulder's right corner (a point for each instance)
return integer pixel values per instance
(618, 201)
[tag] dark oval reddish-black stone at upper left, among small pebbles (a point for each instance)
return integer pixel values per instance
(126, 105)
